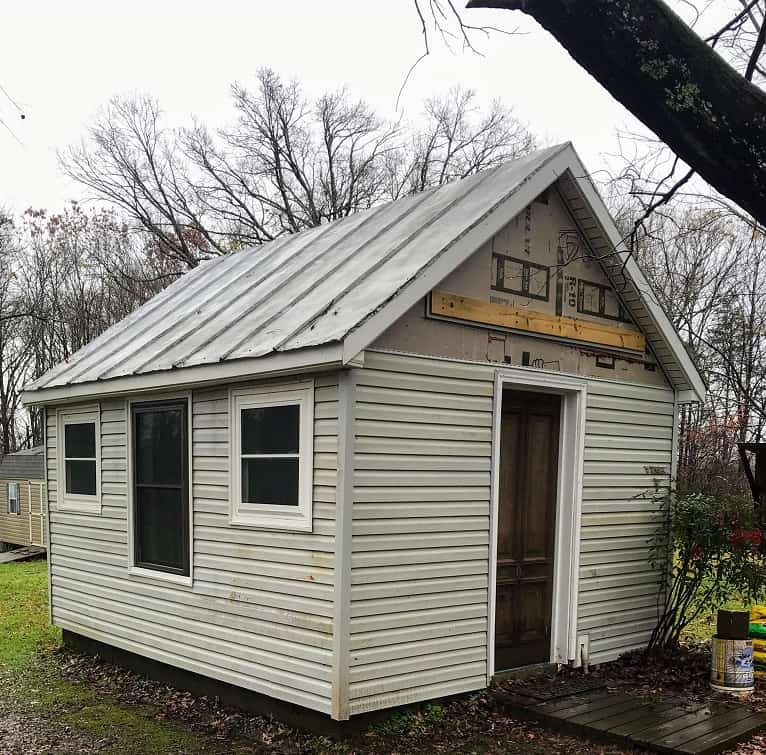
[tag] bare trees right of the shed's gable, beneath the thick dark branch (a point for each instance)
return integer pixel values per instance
(708, 268)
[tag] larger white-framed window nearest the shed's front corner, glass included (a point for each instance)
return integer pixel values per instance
(272, 450)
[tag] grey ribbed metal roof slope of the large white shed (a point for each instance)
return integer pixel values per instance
(300, 294)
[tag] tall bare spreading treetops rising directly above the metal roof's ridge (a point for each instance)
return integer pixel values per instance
(287, 162)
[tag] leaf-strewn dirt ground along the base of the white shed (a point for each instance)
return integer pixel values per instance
(472, 724)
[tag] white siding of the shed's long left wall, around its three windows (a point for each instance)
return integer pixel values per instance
(259, 614)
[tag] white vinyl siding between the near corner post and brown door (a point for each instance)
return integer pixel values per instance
(420, 531)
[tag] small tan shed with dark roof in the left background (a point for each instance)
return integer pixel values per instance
(22, 497)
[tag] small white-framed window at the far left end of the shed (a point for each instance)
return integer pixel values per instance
(79, 484)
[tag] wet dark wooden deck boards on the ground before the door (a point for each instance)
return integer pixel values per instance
(639, 723)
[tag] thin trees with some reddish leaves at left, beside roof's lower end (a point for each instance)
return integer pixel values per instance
(64, 278)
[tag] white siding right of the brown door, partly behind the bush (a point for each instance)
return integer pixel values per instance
(628, 446)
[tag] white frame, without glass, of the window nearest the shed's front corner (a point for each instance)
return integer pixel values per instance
(265, 516)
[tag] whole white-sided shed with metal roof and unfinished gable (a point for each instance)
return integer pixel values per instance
(381, 460)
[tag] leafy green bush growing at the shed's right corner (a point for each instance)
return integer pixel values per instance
(709, 550)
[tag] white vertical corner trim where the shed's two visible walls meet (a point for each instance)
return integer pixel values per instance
(344, 499)
